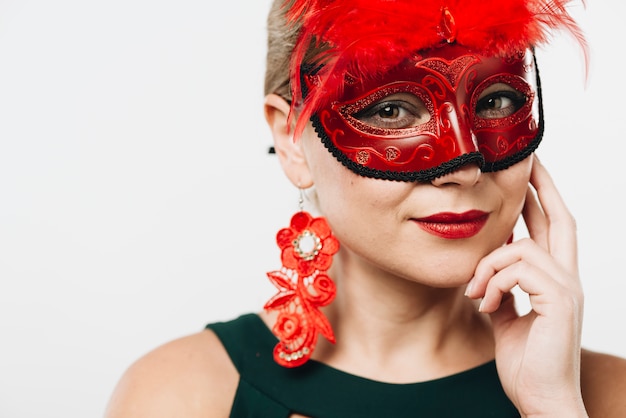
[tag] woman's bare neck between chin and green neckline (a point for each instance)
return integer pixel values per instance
(391, 329)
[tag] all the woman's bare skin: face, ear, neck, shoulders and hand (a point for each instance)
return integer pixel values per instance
(445, 317)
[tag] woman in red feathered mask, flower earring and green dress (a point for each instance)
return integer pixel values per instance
(416, 123)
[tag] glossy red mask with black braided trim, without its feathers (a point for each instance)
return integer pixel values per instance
(441, 109)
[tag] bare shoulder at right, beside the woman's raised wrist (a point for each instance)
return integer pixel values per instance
(603, 380)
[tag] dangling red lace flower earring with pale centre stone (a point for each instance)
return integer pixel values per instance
(307, 247)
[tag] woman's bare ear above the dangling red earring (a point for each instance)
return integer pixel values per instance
(289, 151)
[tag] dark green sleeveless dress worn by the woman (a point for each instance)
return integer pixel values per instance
(267, 390)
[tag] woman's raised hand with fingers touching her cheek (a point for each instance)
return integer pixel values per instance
(538, 354)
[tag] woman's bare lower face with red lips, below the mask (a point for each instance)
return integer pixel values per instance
(433, 233)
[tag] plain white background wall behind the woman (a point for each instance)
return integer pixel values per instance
(137, 200)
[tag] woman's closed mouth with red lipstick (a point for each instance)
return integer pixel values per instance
(450, 225)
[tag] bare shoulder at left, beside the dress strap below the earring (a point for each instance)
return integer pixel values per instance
(188, 377)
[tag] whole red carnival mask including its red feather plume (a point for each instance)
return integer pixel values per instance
(407, 90)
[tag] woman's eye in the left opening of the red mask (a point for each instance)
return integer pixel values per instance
(395, 112)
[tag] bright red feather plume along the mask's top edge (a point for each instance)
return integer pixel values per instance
(357, 39)
